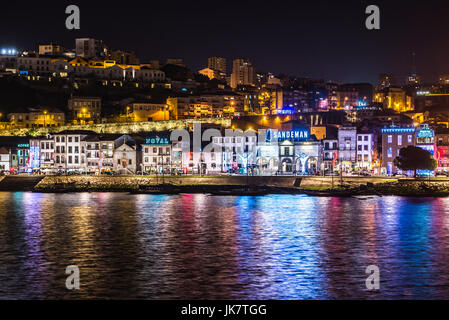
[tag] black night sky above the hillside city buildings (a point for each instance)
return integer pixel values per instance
(319, 39)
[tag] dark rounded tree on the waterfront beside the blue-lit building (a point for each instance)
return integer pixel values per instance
(415, 158)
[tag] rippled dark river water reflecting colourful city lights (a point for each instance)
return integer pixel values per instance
(199, 246)
